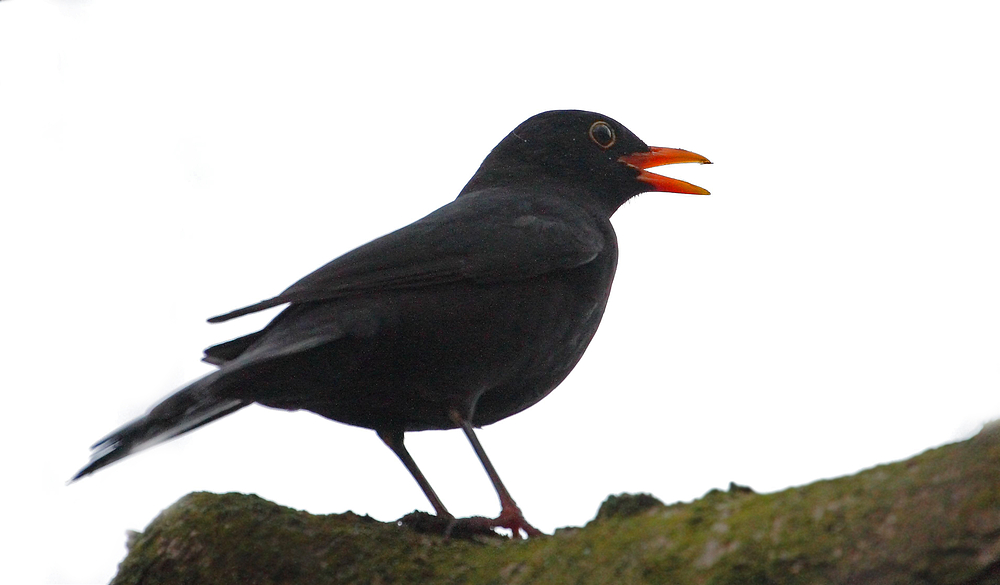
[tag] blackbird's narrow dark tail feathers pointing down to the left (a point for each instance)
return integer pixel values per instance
(185, 410)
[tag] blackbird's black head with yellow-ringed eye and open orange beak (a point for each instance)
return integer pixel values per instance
(586, 151)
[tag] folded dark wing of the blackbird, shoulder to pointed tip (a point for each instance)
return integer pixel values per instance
(494, 235)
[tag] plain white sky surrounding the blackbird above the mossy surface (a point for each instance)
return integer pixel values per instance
(832, 306)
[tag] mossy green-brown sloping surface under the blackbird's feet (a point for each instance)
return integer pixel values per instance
(932, 519)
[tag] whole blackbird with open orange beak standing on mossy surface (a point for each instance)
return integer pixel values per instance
(458, 320)
